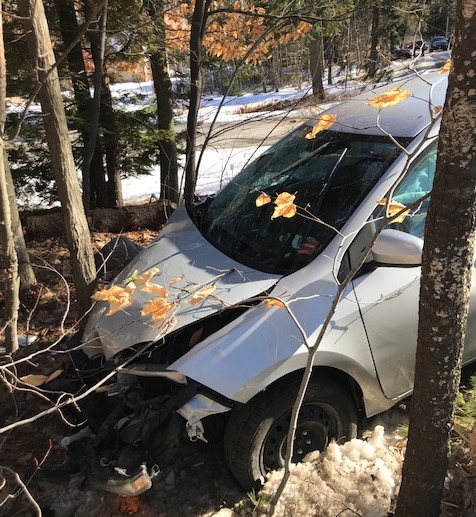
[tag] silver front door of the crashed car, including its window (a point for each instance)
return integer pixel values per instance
(388, 295)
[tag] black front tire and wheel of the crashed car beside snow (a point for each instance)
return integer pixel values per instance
(255, 436)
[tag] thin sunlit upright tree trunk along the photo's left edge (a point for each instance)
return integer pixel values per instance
(12, 280)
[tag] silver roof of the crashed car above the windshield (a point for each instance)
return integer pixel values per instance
(405, 119)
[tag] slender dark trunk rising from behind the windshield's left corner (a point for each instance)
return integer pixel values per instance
(199, 20)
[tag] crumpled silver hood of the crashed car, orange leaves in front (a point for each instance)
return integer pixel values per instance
(187, 263)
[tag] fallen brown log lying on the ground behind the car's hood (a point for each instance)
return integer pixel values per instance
(131, 217)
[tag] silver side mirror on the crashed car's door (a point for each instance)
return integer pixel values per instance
(396, 248)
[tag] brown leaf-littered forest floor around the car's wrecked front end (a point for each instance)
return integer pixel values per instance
(198, 484)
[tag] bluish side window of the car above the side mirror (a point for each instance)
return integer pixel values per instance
(417, 184)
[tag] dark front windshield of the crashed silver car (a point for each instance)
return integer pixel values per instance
(330, 174)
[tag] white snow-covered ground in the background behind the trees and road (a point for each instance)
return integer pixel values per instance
(217, 166)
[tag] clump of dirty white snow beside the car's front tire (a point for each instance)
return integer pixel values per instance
(360, 476)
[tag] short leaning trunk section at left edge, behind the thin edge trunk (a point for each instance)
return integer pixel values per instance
(27, 275)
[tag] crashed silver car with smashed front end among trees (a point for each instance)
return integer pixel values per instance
(216, 355)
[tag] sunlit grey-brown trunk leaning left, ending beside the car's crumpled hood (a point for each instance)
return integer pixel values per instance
(62, 162)
